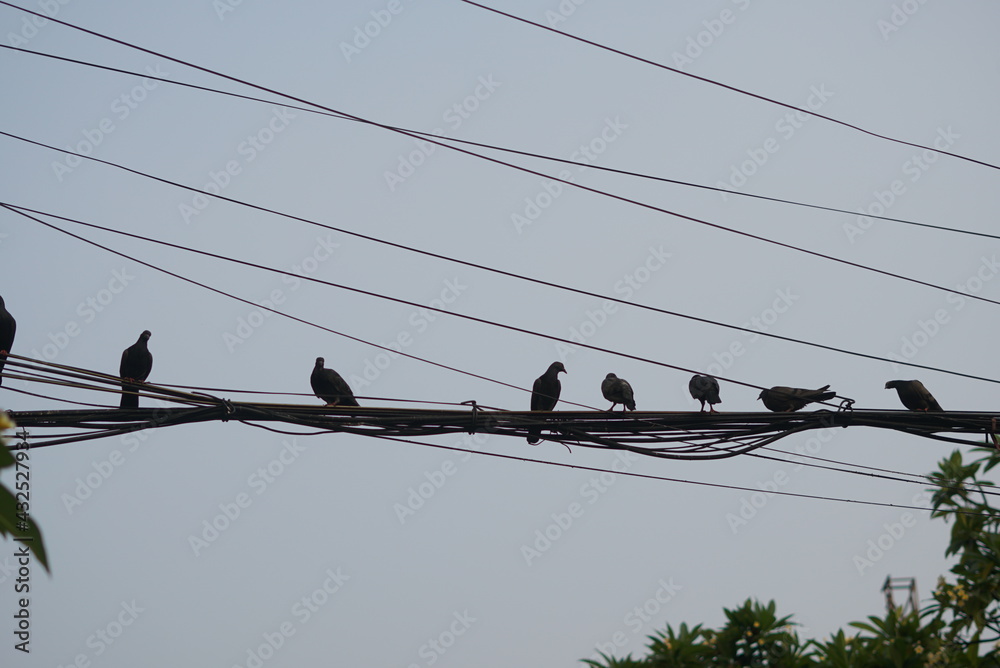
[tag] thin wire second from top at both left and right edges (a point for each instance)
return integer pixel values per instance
(504, 149)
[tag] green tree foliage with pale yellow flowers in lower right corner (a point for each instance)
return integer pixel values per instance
(960, 626)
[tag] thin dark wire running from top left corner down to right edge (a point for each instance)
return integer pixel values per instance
(513, 166)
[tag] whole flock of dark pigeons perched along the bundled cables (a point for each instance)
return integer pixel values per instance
(330, 386)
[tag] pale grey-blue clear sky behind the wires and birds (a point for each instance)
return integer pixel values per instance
(225, 545)
